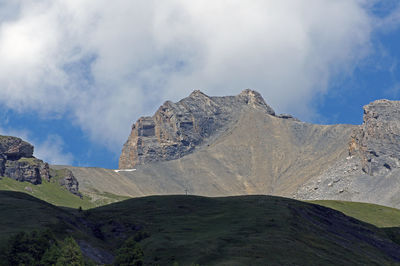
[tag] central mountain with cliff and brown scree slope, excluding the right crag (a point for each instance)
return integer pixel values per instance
(215, 146)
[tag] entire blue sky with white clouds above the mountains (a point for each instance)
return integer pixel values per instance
(76, 74)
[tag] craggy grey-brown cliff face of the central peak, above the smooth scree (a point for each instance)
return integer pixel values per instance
(177, 128)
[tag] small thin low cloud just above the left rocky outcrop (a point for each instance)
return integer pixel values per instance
(50, 150)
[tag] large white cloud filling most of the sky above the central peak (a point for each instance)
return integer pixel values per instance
(106, 64)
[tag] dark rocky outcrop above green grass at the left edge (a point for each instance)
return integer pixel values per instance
(17, 162)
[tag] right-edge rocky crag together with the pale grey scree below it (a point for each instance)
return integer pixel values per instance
(371, 171)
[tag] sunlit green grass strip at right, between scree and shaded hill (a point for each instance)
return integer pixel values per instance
(377, 215)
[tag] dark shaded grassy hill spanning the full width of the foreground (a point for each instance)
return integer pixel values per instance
(245, 230)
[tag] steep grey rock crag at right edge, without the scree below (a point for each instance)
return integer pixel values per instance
(377, 140)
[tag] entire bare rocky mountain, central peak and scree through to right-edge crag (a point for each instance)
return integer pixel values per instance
(237, 145)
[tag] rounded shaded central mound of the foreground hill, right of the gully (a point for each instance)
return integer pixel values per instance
(245, 230)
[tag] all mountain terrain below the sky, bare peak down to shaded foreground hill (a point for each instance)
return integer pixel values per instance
(220, 146)
